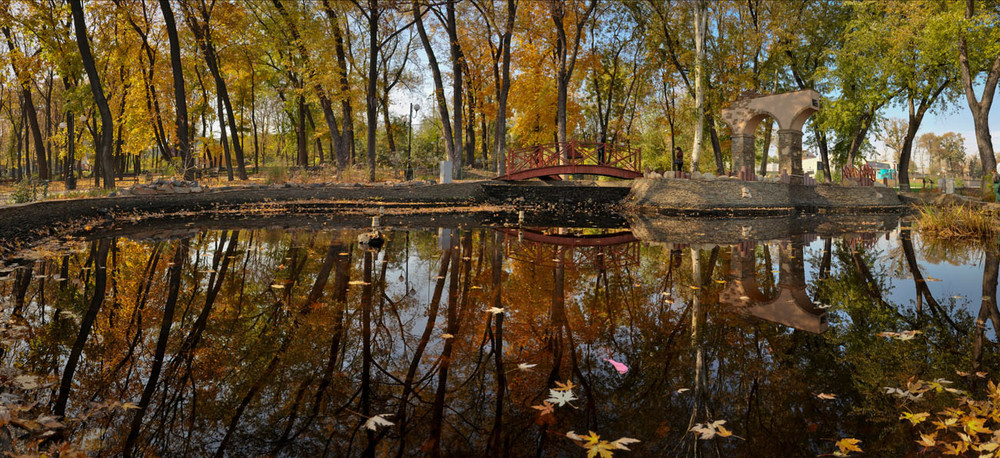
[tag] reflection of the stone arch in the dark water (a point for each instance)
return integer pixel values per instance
(792, 307)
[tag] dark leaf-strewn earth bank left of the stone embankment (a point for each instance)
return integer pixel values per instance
(407, 205)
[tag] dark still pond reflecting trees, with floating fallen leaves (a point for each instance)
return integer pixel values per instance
(463, 342)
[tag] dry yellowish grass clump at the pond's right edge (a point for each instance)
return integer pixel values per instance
(957, 221)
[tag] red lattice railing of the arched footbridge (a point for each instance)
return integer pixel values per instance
(576, 153)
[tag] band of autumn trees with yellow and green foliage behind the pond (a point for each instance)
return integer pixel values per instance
(106, 89)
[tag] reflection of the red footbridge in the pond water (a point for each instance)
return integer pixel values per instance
(608, 250)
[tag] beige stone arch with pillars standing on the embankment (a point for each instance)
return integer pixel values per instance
(790, 110)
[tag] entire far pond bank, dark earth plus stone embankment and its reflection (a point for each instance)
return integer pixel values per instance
(657, 208)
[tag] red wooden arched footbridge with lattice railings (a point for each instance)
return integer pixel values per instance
(549, 161)
